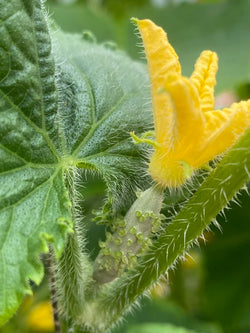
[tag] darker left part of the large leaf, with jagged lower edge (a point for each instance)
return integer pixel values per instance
(34, 206)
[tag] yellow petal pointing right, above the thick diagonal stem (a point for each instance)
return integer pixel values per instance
(223, 127)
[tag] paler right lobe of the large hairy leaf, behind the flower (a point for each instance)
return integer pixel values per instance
(108, 96)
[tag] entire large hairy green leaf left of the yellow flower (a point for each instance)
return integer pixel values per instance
(54, 117)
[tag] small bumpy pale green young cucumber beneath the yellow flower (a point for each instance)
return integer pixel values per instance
(131, 237)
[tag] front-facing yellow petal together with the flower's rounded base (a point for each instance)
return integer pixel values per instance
(172, 163)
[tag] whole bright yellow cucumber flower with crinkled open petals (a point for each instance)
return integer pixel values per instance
(188, 131)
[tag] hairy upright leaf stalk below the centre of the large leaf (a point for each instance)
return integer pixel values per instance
(74, 270)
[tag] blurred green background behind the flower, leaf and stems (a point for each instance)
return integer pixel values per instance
(210, 291)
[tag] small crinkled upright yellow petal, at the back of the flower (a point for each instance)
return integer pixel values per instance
(204, 78)
